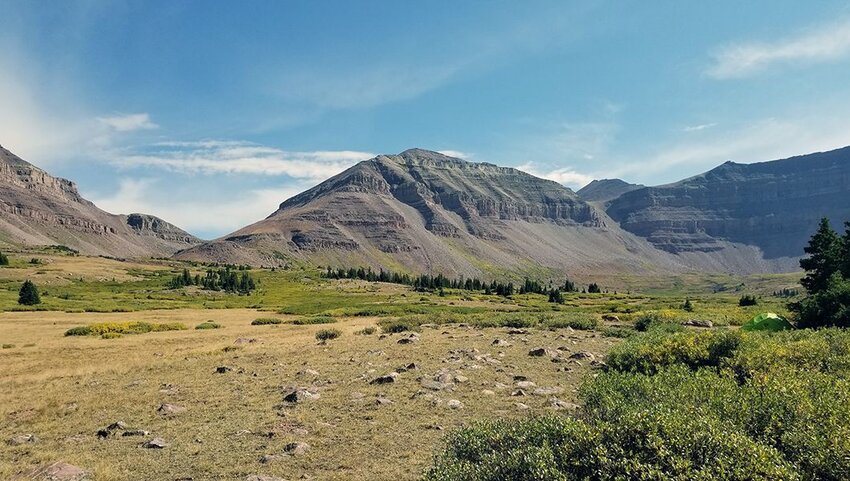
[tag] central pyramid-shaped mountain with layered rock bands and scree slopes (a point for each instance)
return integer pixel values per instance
(423, 211)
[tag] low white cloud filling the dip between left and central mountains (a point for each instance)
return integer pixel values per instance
(198, 215)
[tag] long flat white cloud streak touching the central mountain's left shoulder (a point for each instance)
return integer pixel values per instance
(228, 157)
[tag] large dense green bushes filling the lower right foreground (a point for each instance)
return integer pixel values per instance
(695, 405)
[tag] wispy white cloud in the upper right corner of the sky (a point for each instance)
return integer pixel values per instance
(820, 44)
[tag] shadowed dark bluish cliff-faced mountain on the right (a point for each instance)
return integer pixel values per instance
(743, 217)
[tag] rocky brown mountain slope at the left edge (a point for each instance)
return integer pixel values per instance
(39, 209)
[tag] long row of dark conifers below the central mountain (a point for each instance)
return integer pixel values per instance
(439, 281)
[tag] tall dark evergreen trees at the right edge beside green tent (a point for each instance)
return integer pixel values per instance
(827, 280)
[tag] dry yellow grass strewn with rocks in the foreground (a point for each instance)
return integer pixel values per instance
(64, 389)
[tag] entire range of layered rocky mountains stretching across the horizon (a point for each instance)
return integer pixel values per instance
(422, 211)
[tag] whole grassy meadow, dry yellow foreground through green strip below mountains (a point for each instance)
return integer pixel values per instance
(234, 424)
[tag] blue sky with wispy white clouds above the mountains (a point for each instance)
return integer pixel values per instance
(211, 113)
